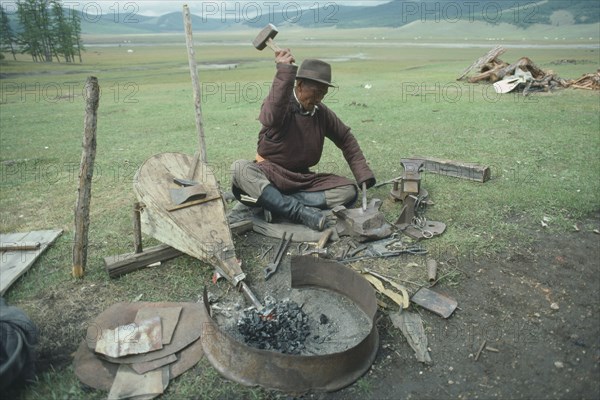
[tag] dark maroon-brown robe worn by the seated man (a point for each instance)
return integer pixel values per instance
(291, 143)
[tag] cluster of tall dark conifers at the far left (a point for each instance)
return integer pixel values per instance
(45, 32)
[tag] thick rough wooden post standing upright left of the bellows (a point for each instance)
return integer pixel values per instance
(86, 170)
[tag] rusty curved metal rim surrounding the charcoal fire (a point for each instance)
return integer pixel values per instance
(298, 373)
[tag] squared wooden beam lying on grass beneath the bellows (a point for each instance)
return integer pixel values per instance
(125, 263)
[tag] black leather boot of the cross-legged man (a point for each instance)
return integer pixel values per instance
(286, 206)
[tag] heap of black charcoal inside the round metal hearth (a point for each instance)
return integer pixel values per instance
(282, 327)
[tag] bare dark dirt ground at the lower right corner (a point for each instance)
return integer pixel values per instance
(538, 307)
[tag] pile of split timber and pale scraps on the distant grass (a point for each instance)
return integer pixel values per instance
(491, 69)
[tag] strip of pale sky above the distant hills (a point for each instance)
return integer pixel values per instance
(213, 7)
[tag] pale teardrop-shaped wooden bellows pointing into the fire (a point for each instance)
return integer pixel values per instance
(200, 230)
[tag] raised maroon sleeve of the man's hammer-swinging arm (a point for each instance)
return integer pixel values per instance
(275, 105)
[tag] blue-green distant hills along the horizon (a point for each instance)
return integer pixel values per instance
(395, 14)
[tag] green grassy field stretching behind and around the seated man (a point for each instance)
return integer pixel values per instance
(543, 151)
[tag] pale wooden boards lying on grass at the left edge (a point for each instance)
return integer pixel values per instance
(14, 263)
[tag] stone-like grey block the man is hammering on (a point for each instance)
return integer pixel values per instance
(363, 225)
